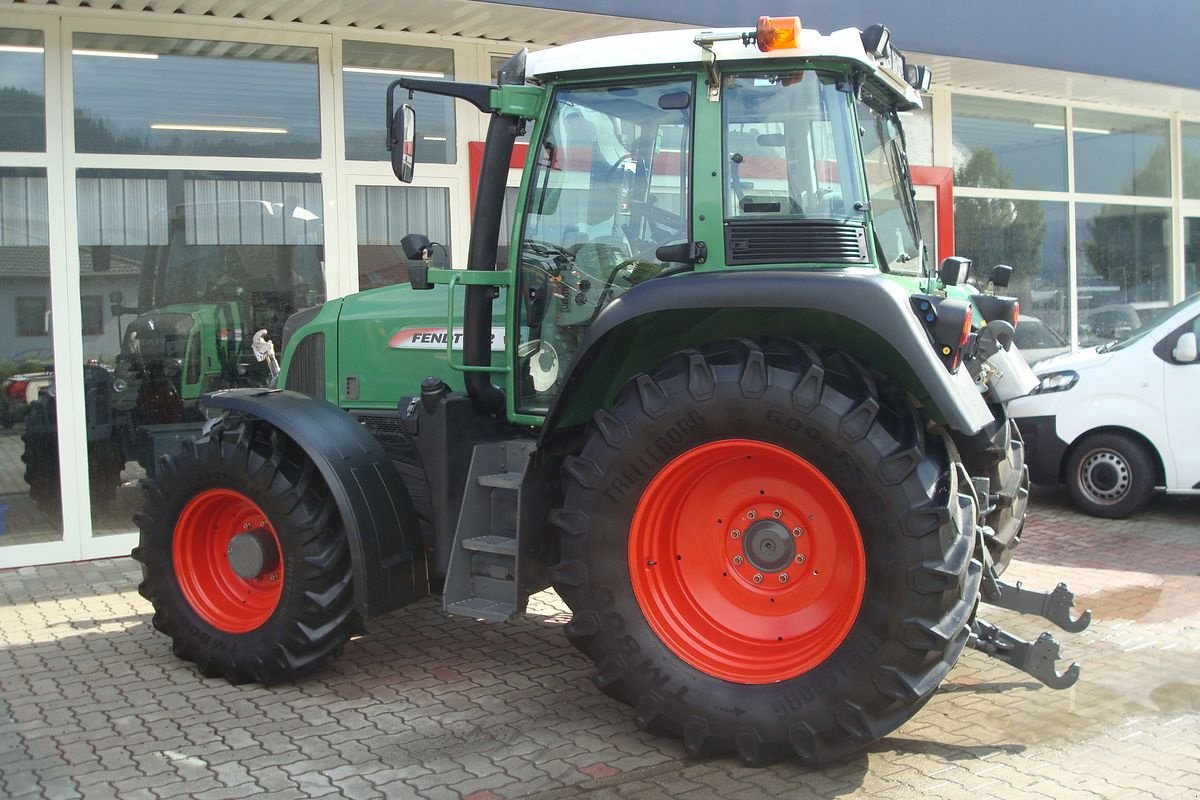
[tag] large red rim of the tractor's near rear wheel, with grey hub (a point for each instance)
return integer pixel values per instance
(717, 580)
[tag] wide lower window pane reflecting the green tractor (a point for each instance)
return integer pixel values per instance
(190, 268)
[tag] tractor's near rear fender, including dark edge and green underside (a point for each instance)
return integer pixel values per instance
(865, 315)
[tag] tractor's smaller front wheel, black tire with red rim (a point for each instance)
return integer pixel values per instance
(201, 494)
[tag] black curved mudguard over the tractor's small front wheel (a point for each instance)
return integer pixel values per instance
(379, 515)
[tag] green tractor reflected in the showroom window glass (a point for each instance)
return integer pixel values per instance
(205, 318)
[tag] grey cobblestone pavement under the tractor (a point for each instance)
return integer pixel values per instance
(94, 705)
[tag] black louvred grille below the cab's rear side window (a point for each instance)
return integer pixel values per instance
(795, 242)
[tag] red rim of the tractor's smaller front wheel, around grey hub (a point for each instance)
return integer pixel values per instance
(201, 554)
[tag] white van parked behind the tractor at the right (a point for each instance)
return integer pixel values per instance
(1115, 422)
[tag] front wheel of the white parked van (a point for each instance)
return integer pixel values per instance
(1111, 476)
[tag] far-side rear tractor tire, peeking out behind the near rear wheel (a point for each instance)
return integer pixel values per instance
(1003, 461)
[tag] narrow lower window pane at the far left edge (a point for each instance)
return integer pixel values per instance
(29, 456)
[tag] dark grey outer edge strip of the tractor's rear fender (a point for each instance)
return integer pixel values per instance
(871, 302)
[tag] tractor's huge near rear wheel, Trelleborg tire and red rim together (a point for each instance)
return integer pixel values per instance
(766, 554)
